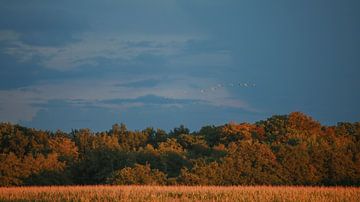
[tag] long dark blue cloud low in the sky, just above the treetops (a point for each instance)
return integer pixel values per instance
(67, 115)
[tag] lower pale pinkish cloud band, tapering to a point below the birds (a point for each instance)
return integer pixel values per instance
(24, 103)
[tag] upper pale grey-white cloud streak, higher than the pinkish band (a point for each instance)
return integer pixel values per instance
(90, 47)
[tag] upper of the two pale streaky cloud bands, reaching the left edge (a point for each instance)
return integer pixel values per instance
(121, 51)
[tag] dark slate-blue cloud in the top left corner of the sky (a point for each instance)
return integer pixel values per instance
(42, 24)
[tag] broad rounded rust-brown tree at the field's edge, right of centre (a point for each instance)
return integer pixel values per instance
(250, 163)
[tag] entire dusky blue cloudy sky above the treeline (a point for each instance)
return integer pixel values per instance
(161, 63)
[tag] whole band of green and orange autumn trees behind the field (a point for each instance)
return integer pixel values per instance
(289, 149)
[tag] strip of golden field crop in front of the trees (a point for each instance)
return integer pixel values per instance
(179, 193)
